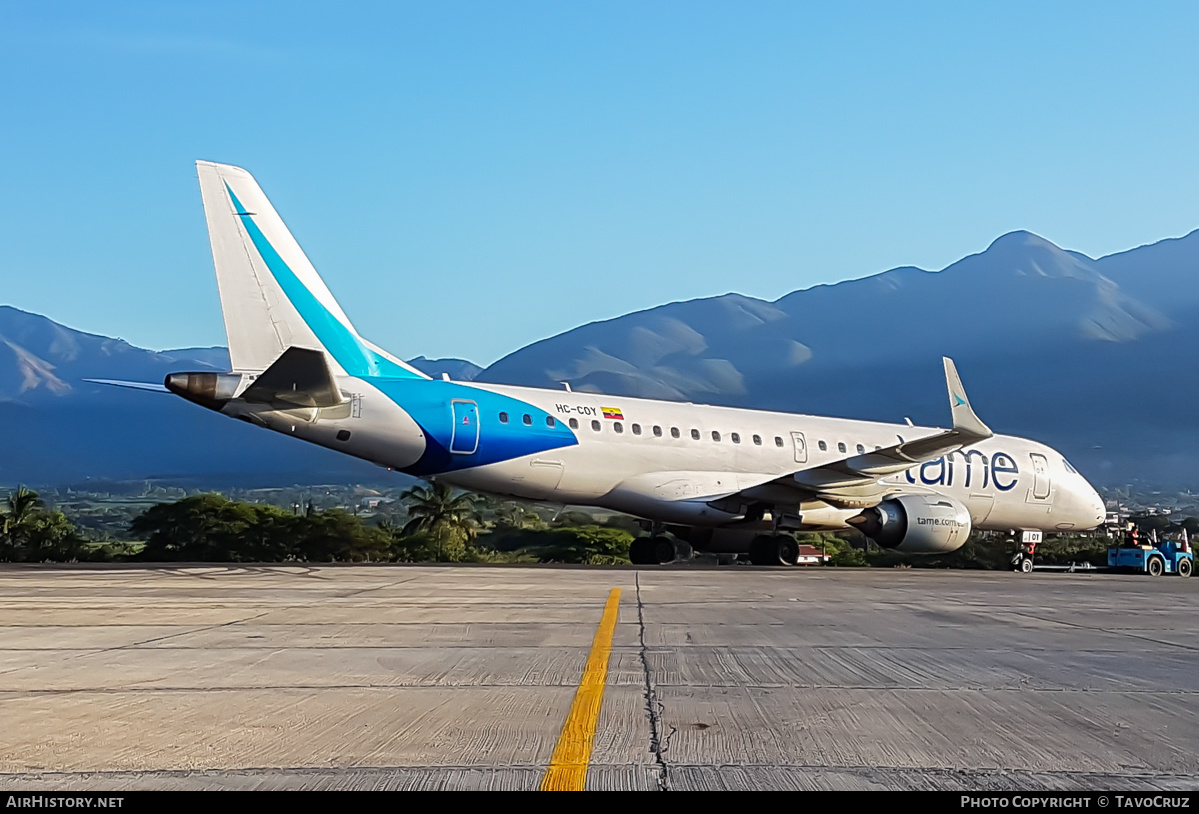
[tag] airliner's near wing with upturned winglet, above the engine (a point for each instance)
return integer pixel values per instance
(855, 480)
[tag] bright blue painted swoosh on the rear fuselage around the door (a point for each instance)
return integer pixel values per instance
(429, 402)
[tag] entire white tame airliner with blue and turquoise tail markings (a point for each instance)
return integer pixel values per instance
(720, 479)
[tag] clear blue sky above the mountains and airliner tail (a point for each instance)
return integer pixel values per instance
(471, 178)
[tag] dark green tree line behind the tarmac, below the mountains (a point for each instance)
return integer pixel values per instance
(439, 526)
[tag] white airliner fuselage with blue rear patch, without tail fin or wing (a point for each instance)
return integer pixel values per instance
(666, 462)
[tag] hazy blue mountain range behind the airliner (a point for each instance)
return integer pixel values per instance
(1093, 357)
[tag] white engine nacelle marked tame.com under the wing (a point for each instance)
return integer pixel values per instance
(917, 524)
